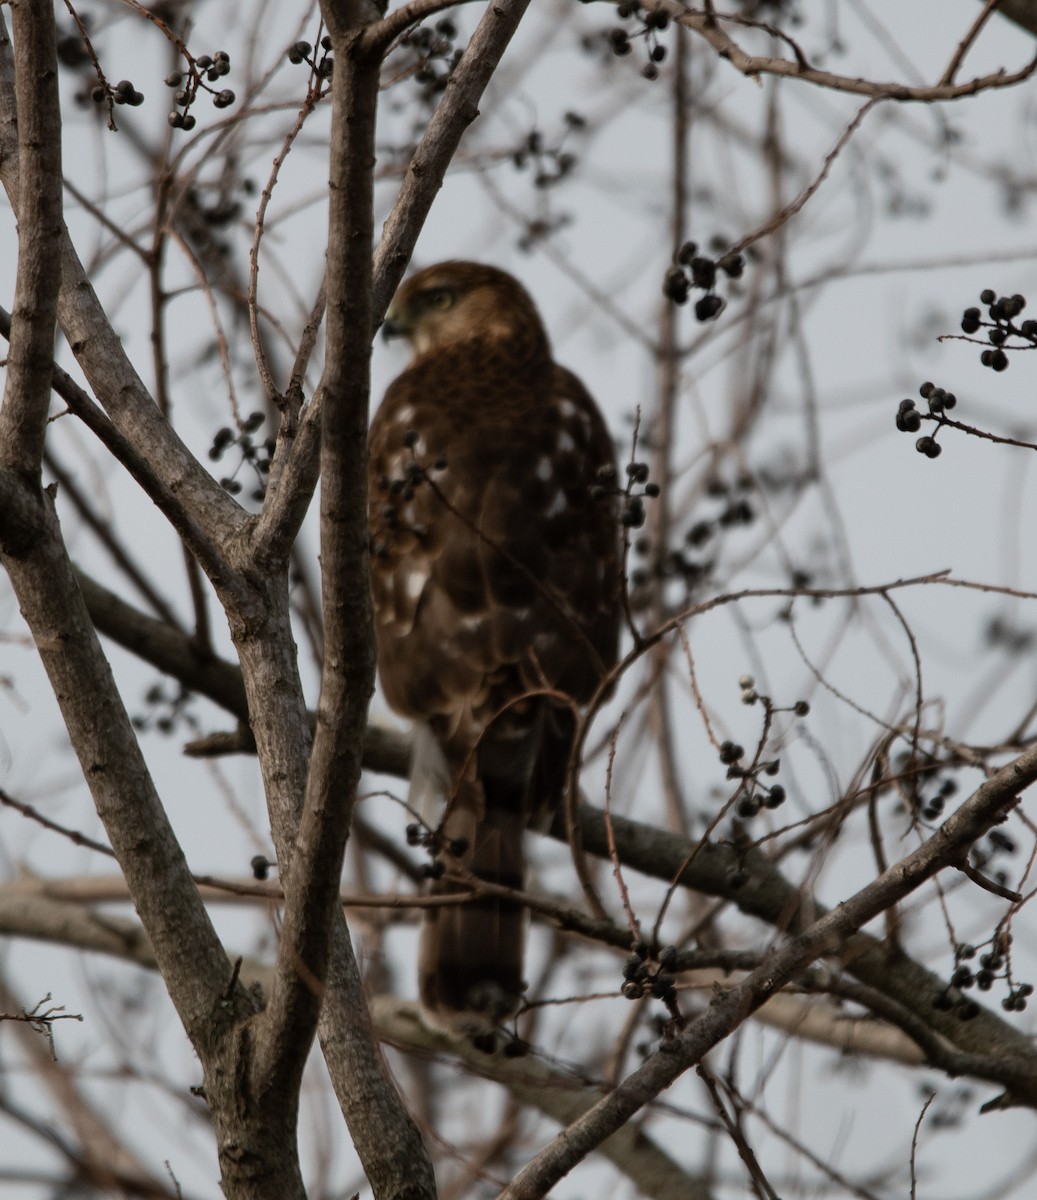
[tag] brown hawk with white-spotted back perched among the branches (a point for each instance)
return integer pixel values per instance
(495, 563)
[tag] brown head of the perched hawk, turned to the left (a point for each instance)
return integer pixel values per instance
(453, 303)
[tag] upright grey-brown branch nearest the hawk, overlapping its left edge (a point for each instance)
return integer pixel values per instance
(311, 875)
